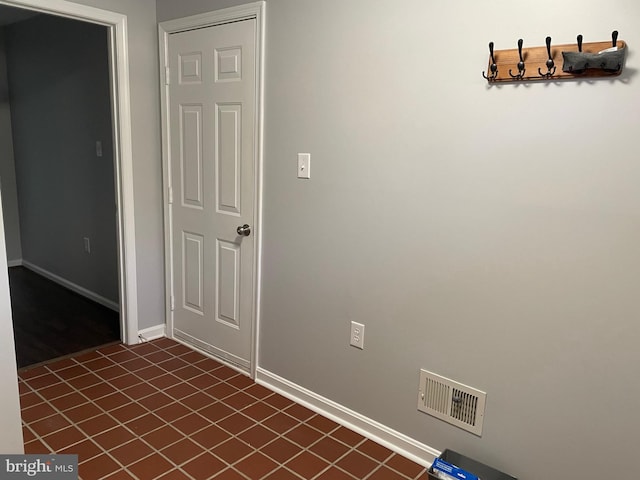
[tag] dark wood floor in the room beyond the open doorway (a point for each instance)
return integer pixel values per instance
(50, 321)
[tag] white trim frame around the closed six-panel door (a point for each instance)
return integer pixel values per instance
(255, 11)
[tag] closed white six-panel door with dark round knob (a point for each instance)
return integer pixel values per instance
(211, 128)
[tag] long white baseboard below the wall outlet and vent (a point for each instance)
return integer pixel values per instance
(393, 440)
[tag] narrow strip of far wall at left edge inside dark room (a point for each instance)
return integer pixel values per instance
(7, 167)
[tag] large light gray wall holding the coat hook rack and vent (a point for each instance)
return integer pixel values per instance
(487, 234)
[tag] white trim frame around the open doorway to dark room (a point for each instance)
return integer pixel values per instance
(116, 24)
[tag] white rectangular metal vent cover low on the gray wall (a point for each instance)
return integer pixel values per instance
(451, 401)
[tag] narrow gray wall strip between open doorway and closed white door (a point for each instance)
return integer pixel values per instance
(147, 160)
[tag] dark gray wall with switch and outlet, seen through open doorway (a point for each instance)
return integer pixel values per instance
(60, 105)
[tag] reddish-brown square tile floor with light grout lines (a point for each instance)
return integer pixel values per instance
(159, 410)
